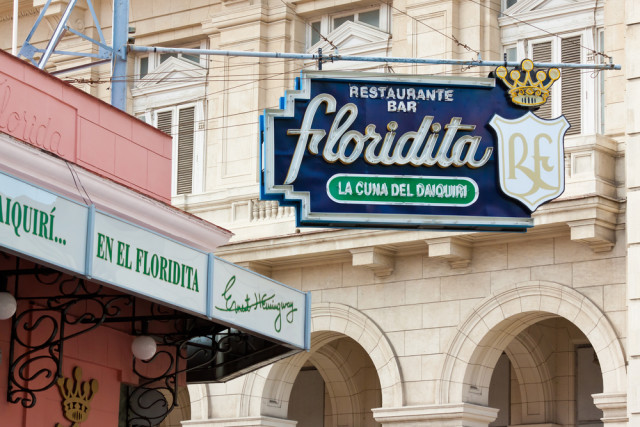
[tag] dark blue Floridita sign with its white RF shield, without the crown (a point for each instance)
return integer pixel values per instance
(371, 150)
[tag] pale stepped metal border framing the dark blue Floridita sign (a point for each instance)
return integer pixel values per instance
(288, 194)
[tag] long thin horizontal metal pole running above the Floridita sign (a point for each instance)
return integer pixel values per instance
(332, 57)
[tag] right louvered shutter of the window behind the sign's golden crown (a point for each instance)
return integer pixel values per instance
(571, 88)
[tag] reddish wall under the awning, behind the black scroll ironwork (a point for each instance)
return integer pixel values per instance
(103, 353)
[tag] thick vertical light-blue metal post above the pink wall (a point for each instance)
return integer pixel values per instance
(119, 56)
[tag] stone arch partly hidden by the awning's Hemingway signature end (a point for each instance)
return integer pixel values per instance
(351, 367)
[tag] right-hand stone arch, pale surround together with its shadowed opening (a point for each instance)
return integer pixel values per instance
(544, 329)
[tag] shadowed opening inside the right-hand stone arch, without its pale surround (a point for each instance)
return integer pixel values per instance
(546, 375)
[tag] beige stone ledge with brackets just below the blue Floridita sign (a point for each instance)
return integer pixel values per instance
(590, 220)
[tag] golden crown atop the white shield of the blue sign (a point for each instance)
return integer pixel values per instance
(523, 90)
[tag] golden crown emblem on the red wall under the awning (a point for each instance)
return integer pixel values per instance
(76, 396)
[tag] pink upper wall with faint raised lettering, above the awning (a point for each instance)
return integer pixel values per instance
(43, 111)
